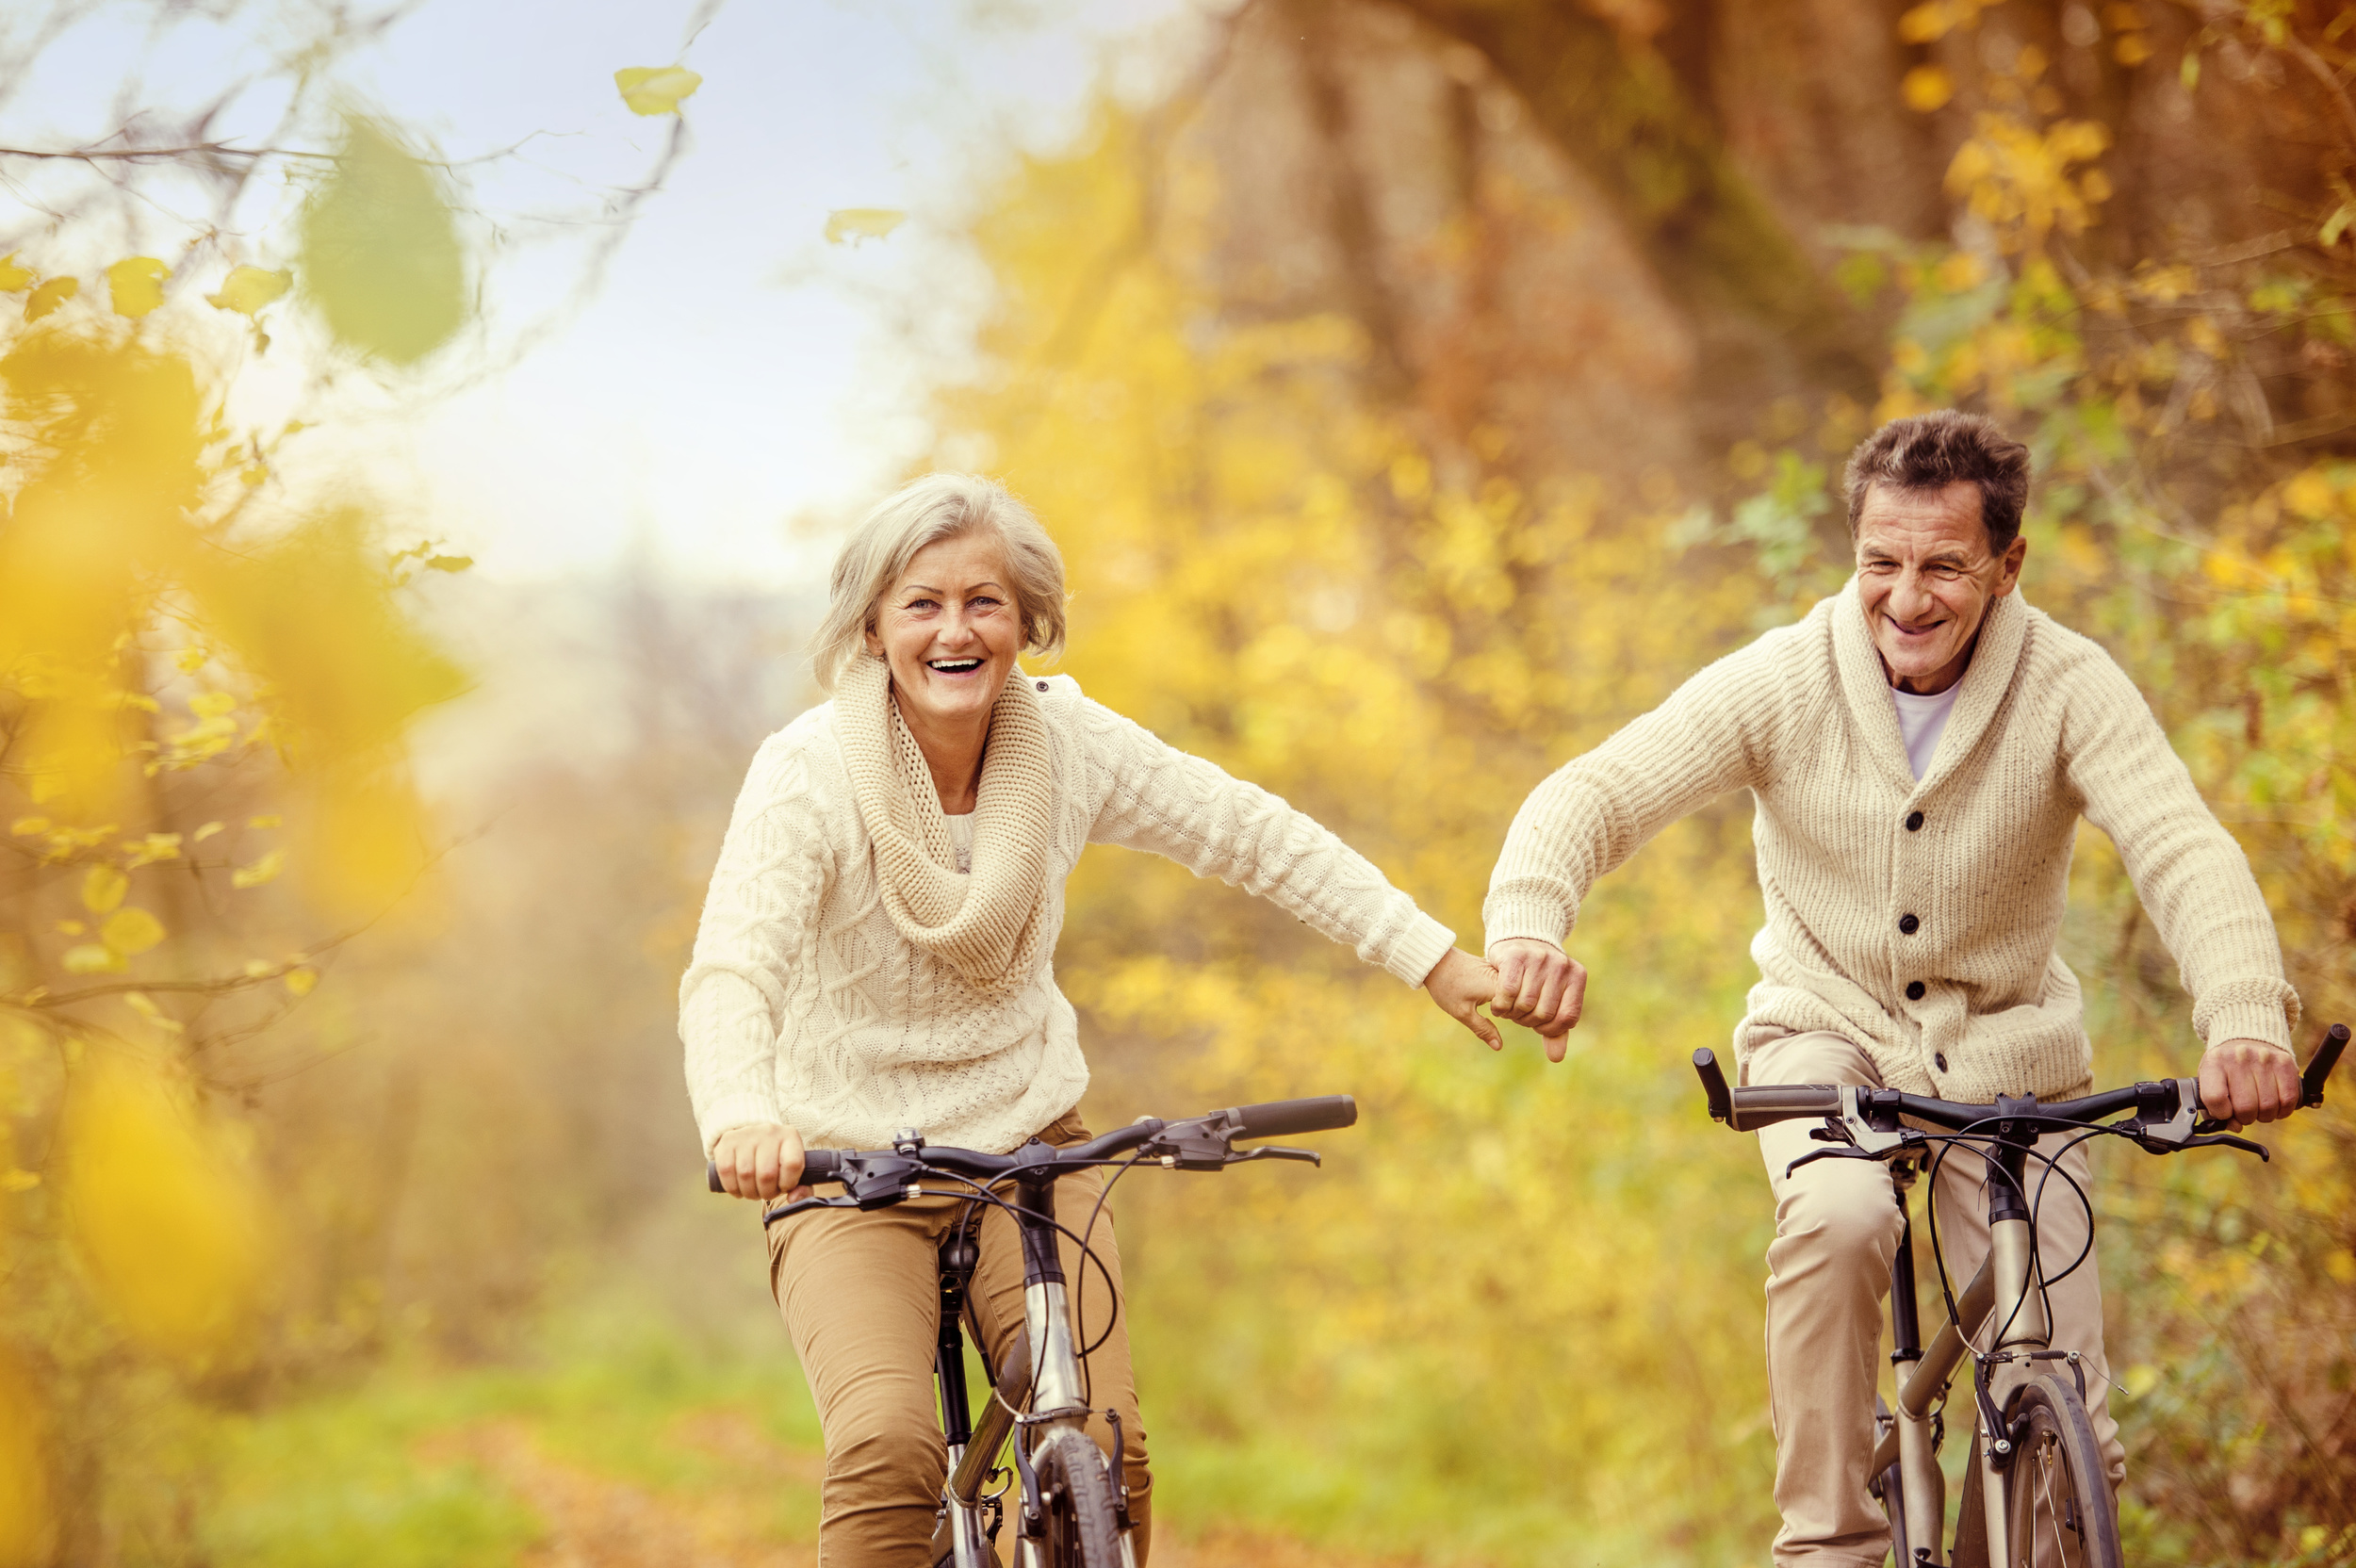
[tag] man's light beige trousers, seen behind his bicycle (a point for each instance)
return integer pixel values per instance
(1837, 1233)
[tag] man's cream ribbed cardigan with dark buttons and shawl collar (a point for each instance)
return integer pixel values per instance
(1919, 919)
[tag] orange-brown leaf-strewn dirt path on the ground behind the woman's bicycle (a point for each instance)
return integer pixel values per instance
(597, 1522)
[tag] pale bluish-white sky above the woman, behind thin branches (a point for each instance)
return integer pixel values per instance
(734, 373)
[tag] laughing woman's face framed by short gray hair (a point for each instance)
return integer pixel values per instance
(951, 632)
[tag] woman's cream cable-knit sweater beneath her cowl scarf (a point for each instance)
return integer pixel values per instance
(805, 1004)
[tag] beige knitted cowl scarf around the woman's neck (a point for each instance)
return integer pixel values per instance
(986, 926)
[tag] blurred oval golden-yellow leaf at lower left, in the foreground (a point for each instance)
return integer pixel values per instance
(168, 1223)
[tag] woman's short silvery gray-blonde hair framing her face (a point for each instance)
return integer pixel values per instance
(927, 512)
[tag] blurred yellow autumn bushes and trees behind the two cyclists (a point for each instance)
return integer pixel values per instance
(1419, 390)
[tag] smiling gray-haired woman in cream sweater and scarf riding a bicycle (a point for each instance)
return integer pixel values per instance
(878, 955)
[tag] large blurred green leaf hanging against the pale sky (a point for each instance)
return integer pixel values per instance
(380, 253)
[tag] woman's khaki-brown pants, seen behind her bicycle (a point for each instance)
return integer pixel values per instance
(861, 1296)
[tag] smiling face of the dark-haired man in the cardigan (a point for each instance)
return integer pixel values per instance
(1926, 580)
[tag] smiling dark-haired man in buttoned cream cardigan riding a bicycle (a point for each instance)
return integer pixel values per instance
(1921, 750)
